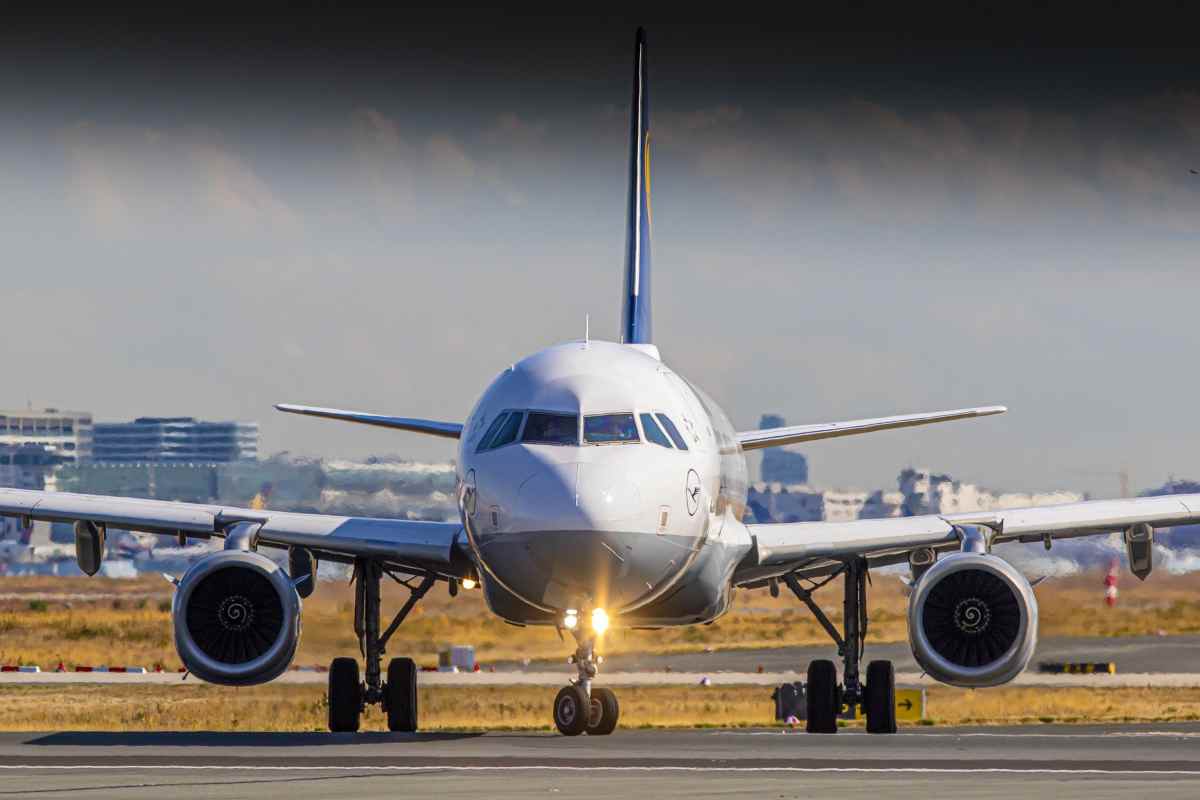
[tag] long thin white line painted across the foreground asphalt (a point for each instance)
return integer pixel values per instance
(550, 768)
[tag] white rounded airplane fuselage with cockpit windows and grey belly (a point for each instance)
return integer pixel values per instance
(591, 501)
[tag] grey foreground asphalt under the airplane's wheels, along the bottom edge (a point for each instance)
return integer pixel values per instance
(1153, 761)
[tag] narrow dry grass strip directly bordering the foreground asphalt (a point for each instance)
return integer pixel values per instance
(202, 707)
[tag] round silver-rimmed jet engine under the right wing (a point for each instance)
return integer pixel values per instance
(973, 621)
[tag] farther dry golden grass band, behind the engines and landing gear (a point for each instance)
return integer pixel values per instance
(98, 622)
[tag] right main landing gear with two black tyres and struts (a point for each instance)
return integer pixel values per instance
(824, 695)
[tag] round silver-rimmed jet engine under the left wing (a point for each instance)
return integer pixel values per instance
(237, 619)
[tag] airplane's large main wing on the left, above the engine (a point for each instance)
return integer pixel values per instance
(425, 546)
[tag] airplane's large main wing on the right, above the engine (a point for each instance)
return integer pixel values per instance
(813, 546)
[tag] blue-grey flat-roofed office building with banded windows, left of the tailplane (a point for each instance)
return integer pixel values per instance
(175, 441)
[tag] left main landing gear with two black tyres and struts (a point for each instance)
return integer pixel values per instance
(398, 696)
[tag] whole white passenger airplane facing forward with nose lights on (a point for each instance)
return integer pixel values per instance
(597, 488)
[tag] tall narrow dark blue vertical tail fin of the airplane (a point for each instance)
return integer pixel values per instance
(637, 314)
